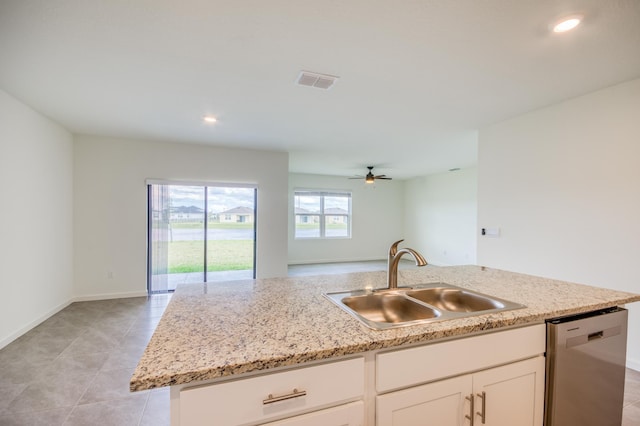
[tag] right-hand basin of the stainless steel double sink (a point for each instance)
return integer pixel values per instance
(455, 300)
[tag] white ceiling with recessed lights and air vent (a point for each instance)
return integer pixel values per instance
(417, 78)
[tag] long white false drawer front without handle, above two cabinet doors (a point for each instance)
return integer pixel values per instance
(422, 364)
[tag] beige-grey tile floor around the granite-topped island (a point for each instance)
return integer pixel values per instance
(74, 368)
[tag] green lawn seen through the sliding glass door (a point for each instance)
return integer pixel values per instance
(224, 255)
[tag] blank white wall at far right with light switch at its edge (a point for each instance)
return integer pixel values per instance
(563, 184)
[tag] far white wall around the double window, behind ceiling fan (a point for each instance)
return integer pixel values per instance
(377, 220)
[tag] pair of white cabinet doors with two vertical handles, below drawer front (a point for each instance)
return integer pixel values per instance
(503, 396)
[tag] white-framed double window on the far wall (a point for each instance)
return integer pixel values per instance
(322, 214)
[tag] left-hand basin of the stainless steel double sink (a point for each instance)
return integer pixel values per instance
(389, 308)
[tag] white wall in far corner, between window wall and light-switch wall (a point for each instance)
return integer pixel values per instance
(440, 216)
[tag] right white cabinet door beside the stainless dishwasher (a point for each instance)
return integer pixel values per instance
(513, 394)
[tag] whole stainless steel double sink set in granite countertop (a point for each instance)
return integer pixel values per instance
(390, 308)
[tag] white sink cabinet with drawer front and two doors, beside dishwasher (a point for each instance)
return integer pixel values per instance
(494, 379)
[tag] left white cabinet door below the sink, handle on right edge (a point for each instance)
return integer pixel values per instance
(440, 403)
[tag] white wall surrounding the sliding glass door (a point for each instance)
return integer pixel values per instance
(111, 210)
